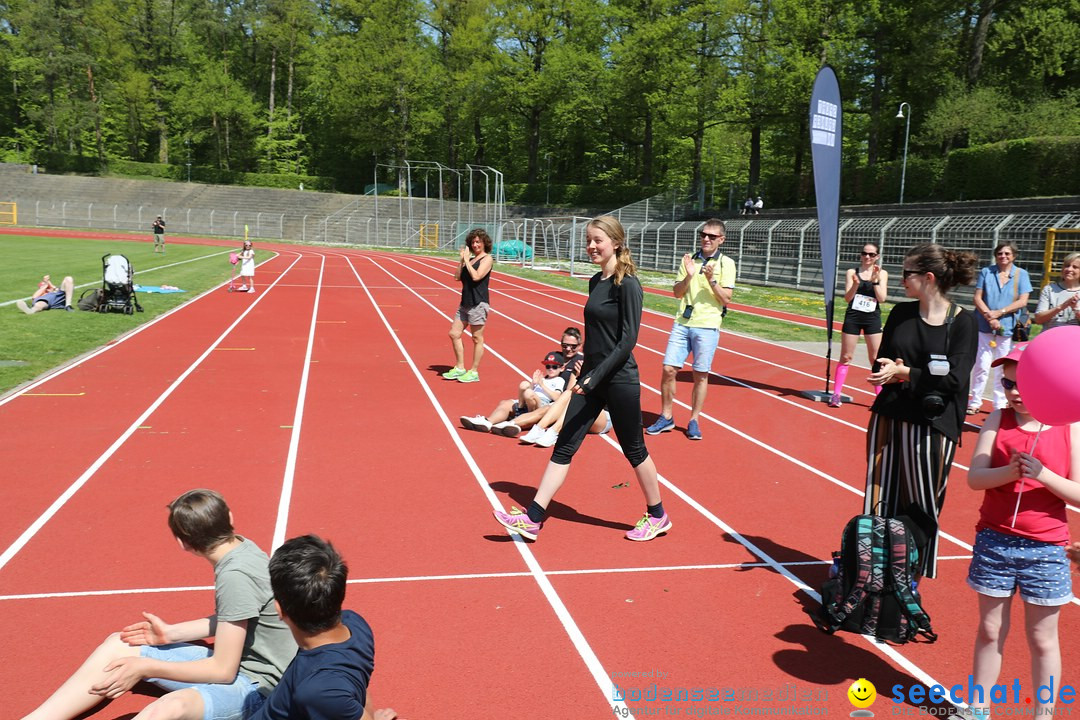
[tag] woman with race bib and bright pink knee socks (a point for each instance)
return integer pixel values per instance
(866, 291)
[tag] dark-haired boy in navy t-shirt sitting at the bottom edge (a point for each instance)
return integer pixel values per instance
(329, 678)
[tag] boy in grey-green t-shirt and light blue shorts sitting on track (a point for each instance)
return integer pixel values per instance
(252, 645)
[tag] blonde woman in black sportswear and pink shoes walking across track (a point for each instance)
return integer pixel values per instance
(610, 379)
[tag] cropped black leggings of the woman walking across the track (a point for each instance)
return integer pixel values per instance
(624, 402)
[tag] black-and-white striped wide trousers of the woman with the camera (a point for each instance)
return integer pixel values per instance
(908, 464)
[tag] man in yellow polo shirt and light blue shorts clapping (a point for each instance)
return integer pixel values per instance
(705, 286)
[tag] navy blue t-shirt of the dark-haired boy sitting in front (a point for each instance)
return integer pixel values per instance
(329, 683)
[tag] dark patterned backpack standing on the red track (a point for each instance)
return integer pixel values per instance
(872, 591)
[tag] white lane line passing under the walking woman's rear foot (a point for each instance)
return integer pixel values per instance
(592, 662)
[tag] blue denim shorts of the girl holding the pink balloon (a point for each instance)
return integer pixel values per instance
(1002, 564)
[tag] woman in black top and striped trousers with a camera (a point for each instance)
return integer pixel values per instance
(928, 349)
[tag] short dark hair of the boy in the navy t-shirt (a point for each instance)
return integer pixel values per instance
(308, 578)
